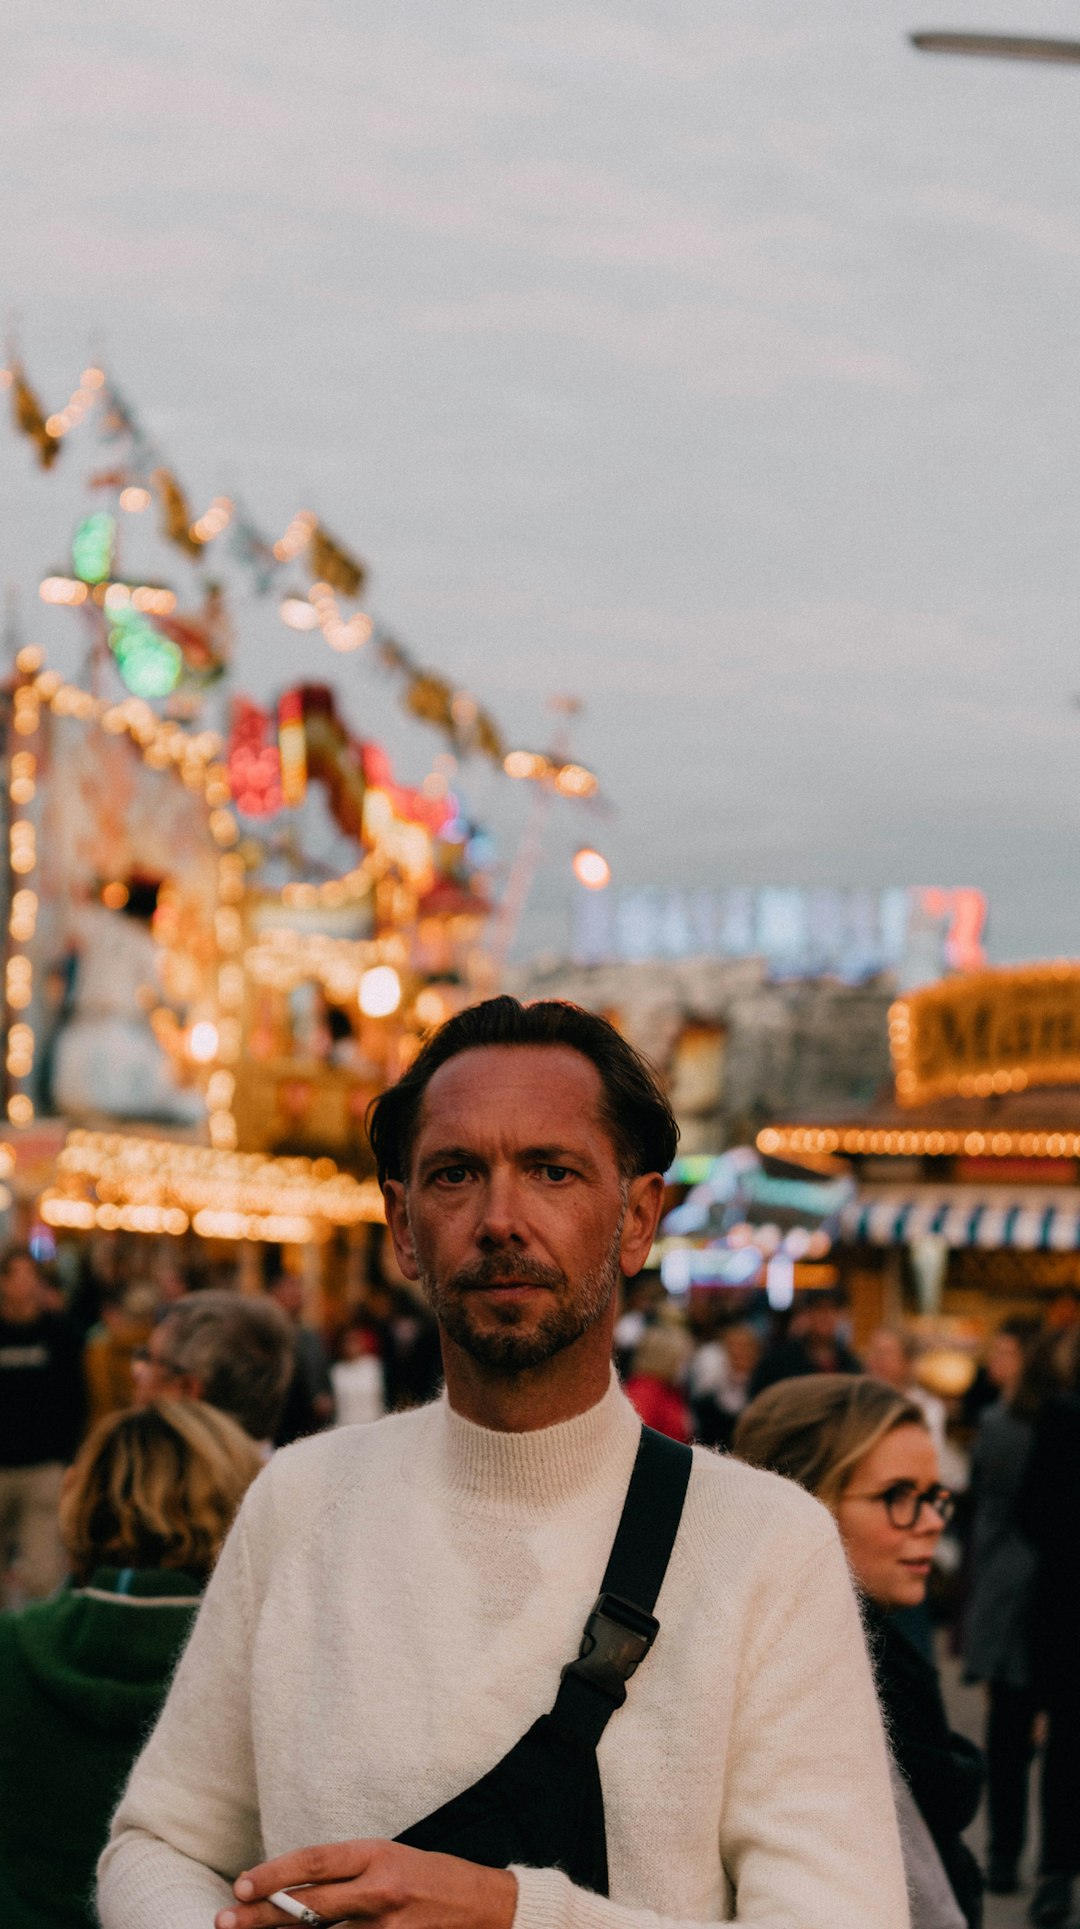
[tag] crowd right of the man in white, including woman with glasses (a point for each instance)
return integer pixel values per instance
(1008, 1581)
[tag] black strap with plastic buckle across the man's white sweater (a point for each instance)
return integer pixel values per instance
(622, 1625)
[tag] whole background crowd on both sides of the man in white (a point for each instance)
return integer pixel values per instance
(136, 1413)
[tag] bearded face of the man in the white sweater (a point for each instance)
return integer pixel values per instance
(516, 1218)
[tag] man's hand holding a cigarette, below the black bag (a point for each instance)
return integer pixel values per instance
(383, 1884)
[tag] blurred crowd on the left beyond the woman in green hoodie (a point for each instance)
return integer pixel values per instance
(70, 1359)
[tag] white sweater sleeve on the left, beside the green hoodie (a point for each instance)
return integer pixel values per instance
(188, 1822)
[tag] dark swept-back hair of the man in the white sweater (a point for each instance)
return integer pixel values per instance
(635, 1110)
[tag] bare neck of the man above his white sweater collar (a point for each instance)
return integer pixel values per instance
(531, 1399)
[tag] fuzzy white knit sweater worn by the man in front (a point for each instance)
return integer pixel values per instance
(391, 1616)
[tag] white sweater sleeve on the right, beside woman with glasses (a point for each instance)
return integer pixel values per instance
(809, 1830)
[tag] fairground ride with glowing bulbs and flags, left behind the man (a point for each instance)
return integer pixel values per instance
(229, 923)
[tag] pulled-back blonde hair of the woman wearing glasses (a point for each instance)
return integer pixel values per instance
(819, 1428)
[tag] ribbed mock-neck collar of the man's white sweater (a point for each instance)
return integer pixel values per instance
(543, 1471)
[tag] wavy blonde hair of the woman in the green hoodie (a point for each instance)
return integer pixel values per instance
(157, 1488)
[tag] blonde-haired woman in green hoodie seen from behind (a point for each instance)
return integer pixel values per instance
(82, 1677)
